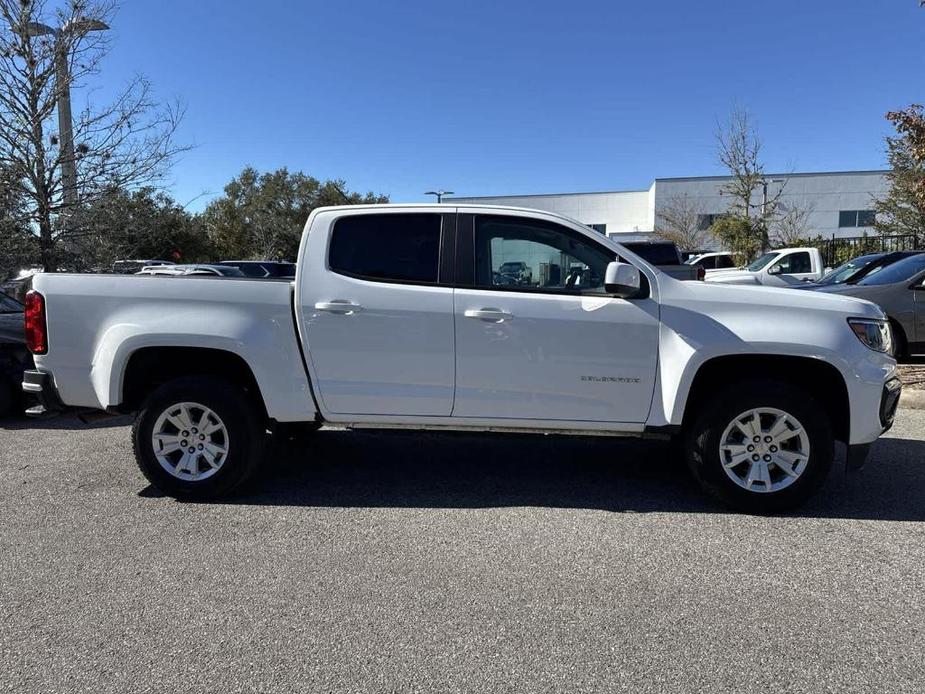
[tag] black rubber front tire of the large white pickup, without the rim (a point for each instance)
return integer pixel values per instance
(702, 443)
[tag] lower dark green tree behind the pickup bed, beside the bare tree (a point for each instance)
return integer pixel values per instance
(143, 224)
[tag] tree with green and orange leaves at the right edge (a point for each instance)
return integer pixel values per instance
(902, 211)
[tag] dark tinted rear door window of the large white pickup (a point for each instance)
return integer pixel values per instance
(387, 247)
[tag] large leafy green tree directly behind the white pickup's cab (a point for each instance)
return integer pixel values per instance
(261, 216)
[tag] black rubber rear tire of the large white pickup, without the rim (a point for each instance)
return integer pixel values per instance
(246, 436)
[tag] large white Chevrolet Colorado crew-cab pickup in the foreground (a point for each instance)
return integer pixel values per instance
(399, 316)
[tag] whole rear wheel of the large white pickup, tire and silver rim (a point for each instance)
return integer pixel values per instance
(198, 438)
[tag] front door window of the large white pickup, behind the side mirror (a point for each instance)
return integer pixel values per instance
(525, 254)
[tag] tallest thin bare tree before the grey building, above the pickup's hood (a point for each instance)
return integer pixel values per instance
(751, 197)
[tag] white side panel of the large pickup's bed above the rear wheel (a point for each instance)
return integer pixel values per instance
(95, 319)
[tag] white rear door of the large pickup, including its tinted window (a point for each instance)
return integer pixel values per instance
(377, 313)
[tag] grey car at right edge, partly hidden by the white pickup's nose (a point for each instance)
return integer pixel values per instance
(899, 289)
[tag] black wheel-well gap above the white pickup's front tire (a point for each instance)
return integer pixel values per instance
(819, 378)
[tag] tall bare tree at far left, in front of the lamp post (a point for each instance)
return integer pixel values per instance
(126, 144)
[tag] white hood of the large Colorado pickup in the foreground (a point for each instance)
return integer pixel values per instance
(759, 299)
